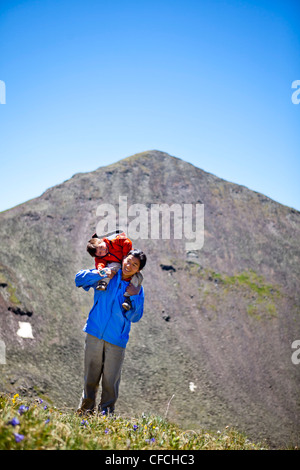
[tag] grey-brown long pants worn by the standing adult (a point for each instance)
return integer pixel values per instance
(102, 360)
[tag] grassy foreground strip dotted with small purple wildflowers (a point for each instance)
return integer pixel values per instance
(35, 425)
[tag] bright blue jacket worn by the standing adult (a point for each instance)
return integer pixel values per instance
(107, 319)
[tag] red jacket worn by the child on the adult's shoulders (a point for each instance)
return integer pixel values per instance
(118, 248)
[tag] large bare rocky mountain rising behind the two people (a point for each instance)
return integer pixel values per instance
(214, 347)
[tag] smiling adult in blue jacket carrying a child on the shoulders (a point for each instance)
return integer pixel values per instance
(107, 329)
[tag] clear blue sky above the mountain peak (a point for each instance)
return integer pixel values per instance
(88, 83)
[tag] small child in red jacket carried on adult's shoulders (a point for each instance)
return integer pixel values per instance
(109, 252)
